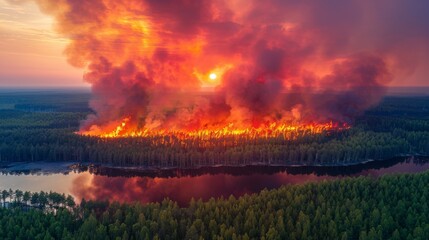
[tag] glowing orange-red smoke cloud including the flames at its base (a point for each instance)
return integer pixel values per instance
(211, 69)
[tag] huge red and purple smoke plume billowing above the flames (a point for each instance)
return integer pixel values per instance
(287, 60)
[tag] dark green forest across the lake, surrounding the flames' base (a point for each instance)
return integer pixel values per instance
(41, 126)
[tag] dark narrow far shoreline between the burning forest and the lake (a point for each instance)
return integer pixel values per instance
(46, 168)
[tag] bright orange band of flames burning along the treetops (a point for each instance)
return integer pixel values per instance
(123, 130)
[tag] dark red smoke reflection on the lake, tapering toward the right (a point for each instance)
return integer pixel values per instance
(180, 189)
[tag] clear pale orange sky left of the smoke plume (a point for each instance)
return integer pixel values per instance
(31, 52)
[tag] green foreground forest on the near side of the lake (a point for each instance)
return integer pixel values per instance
(390, 207)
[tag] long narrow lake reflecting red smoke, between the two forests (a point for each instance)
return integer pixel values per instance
(128, 185)
